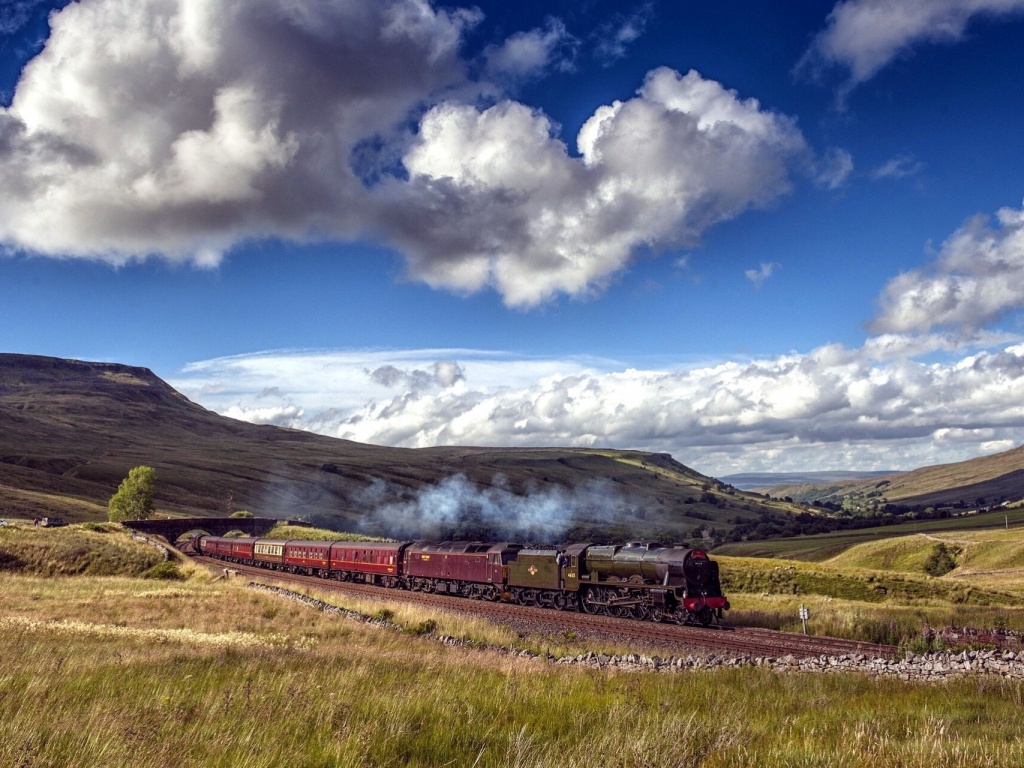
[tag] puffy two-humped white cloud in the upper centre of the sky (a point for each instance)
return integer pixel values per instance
(515, 210)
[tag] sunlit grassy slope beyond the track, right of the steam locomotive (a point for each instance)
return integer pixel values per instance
(880, 591)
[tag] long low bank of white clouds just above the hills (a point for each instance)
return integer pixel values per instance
(830, 409)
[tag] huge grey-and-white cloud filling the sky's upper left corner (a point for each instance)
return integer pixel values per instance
(182, 129)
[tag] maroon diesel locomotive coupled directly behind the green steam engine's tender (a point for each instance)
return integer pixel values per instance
(468, 569)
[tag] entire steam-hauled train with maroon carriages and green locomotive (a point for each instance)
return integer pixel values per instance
(638, 580)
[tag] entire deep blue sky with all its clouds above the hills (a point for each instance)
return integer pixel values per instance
(757, 238)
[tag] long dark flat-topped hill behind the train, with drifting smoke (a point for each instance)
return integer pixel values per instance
(70, 432)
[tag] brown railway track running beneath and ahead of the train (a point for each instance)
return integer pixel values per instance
(674, 638)
